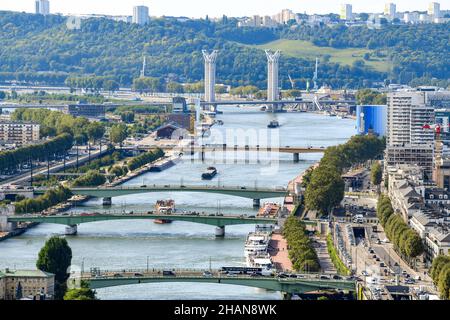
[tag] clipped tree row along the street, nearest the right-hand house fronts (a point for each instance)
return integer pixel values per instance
(406, 241)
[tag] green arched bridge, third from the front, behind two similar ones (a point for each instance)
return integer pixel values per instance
(109, 192)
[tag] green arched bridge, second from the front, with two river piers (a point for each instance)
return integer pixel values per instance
(73, 220)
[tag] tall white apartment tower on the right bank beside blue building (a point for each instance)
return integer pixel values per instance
(410, 138)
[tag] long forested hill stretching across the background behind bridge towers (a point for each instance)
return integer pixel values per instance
(42, 49)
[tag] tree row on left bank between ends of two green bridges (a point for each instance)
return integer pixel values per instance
(47, 200)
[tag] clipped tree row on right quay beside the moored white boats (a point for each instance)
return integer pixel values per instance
(302, 254)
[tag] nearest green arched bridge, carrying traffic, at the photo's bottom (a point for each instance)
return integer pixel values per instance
(288, 285)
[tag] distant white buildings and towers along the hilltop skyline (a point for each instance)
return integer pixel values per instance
(390, 15)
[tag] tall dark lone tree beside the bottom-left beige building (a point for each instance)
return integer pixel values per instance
(55, 257)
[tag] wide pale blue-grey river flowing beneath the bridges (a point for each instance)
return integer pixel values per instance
(131, 244)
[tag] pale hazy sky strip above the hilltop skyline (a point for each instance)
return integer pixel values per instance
(214, 8)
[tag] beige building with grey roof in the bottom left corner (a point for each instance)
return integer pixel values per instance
(23, 284)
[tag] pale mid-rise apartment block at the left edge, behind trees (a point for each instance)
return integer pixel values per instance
(19, 132)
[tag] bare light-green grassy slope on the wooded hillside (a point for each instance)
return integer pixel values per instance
(305, 49)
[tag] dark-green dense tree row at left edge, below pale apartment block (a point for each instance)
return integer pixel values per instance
(56, 147)
